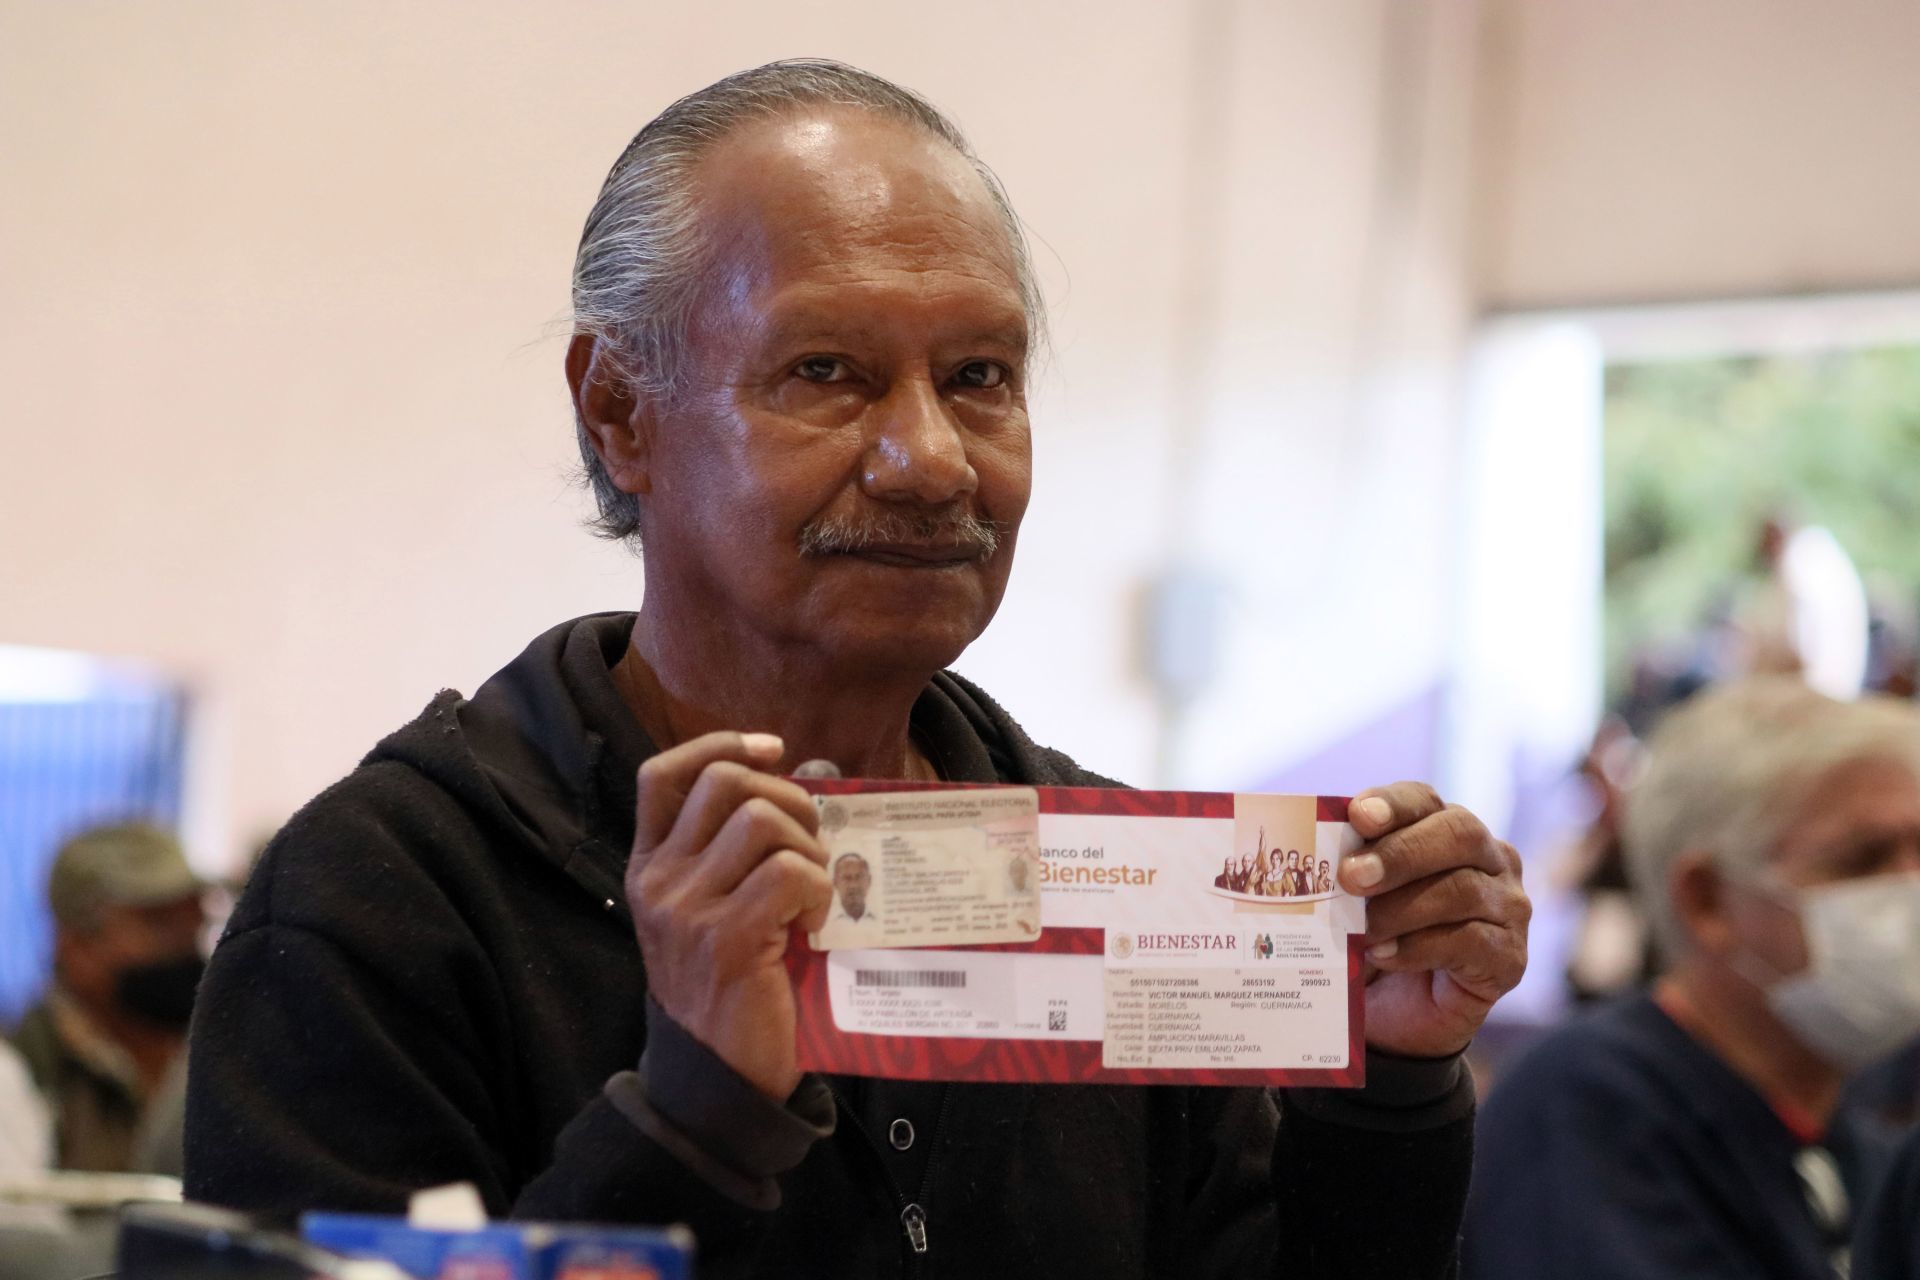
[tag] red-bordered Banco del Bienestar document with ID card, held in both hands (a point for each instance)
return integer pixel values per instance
(1182, 937)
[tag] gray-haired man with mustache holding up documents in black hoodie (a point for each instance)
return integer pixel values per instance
(537, 939)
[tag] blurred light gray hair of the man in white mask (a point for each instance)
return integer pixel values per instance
(1733, 769)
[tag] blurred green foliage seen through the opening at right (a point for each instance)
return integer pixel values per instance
(1700, 452)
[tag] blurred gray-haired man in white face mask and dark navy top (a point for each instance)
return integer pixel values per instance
(1698, 1129)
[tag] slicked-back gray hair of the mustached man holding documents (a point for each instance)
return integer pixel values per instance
(642, 258)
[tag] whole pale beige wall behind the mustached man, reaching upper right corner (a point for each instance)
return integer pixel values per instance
(281, 387)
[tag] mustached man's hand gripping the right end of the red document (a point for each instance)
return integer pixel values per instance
(1447, 918)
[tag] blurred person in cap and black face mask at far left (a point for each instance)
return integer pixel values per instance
(105, 1045)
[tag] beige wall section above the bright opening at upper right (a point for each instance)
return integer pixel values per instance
(1652, 151)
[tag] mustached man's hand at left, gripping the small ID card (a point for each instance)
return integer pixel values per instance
(727, 859)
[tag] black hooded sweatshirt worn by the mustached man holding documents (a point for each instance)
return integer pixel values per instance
(433, 978)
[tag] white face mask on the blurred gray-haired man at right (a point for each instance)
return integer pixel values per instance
(1860, 995)
